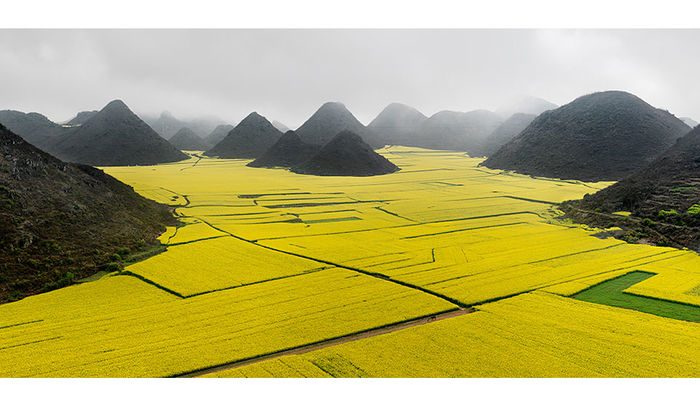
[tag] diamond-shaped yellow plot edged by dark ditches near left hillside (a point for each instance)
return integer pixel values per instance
(216, 264)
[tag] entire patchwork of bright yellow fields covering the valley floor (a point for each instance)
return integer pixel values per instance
(267, 260)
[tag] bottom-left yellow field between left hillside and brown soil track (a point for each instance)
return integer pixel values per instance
(161, 335)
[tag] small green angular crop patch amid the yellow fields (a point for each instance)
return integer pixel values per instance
(611, 293)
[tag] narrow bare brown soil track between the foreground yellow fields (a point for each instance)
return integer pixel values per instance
(330, 342)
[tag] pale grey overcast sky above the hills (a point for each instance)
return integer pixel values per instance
(286, 75)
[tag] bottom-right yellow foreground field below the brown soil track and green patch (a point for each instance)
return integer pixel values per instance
(531, 335)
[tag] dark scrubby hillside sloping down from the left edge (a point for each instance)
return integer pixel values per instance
(60, 222)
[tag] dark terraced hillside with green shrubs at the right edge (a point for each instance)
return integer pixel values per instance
(663, 198)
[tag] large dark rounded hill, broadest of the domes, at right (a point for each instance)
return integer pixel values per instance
(597, 137)
